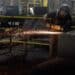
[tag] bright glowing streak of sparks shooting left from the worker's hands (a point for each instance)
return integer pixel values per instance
(35, 32)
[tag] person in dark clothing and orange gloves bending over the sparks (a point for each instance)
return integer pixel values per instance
(60, 20)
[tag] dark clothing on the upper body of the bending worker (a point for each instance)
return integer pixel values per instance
(64, 22)
